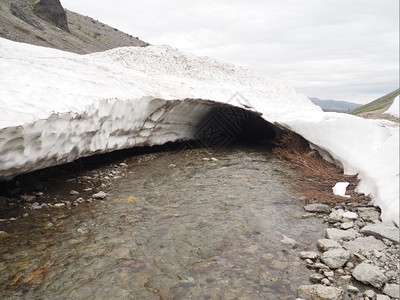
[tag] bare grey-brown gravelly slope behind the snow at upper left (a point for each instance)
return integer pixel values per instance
(83, 35)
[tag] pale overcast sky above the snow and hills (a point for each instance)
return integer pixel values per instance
(330, 49)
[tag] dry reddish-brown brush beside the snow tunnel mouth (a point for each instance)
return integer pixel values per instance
(317, 176)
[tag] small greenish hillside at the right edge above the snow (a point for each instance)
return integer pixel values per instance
(376, 108)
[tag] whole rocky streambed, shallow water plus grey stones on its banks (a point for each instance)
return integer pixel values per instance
(190, 224)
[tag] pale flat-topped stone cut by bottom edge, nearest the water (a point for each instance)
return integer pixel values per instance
(320, 292)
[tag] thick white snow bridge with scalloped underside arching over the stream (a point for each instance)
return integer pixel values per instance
(57, 106)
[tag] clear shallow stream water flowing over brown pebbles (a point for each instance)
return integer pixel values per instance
(182, 226)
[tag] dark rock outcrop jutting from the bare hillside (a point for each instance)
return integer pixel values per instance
(52, 12)
